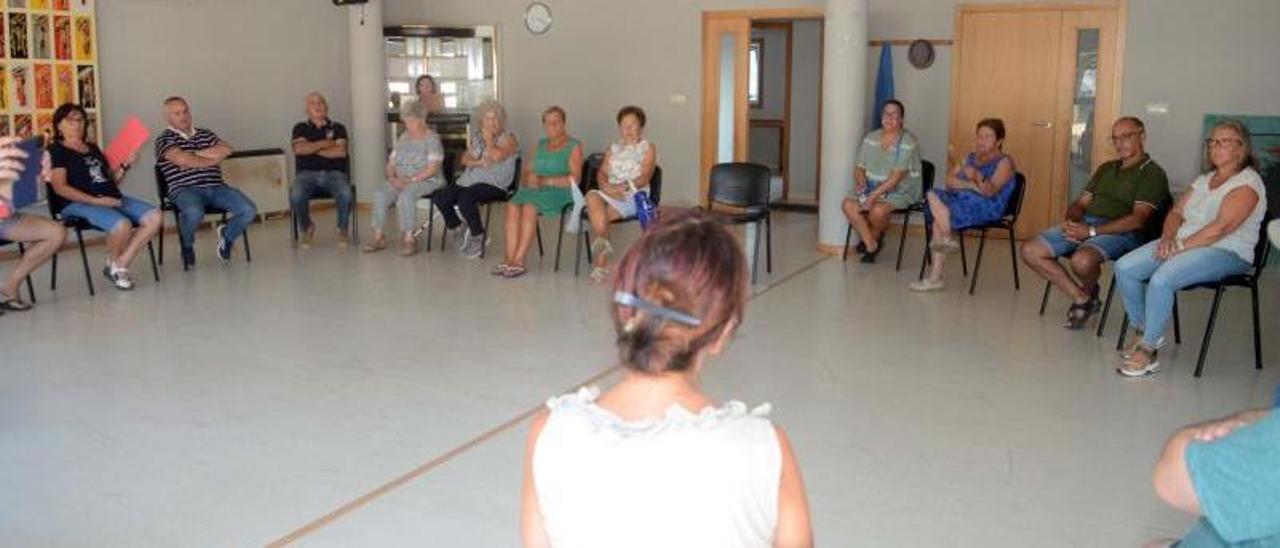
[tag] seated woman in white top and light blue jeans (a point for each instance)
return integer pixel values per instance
(1210, 235)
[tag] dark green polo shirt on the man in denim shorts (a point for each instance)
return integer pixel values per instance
(1116, 190)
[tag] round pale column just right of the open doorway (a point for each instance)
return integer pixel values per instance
(844, 107)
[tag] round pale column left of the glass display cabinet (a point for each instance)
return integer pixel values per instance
(368, 148)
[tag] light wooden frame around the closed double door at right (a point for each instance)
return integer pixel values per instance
(1060, 181)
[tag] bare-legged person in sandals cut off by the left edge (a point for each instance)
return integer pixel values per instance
(42, 236)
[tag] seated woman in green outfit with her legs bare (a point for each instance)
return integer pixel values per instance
(545, 190)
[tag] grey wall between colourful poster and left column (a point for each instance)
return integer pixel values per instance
(245, 66)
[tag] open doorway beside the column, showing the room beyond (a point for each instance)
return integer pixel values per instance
(784, 106)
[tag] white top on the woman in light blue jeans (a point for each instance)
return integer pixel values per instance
(1203, 208)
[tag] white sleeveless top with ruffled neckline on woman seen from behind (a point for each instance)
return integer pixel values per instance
(707, 479)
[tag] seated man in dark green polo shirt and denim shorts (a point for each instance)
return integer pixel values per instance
(1118, 212)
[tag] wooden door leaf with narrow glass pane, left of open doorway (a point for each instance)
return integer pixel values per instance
(726, 39)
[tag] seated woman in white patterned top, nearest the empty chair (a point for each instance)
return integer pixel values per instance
(628, 168)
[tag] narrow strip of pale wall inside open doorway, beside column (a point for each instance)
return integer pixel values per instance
(806, 99)
